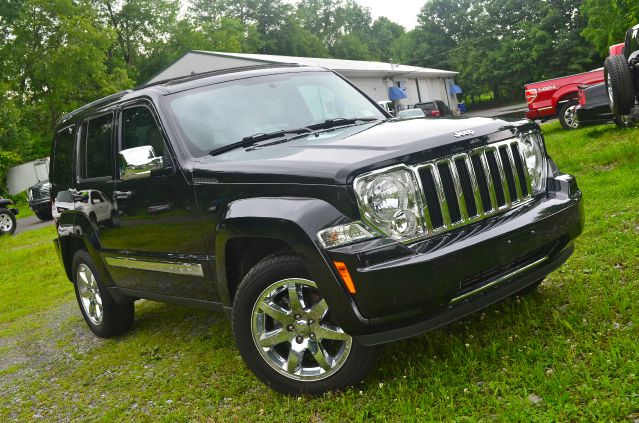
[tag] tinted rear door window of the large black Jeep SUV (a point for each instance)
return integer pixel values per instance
(96, 148)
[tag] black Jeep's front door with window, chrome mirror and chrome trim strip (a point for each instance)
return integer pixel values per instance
(156, 244)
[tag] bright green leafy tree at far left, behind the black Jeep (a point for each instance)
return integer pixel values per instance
(56, 62)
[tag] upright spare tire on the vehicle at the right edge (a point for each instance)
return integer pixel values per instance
(621, 90)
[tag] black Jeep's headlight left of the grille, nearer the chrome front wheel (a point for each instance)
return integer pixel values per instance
(390, 203)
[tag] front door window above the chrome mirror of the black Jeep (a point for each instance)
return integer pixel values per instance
(139, 128)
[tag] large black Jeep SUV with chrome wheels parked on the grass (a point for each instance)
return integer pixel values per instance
(288, 199)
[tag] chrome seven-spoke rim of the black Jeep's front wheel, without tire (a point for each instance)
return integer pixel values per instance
(291, 328)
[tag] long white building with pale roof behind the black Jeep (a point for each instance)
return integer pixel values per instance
(374, 78)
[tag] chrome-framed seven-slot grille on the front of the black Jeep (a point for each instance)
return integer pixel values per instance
(467, 187)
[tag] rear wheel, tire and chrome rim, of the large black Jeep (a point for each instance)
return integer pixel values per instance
(103, 315)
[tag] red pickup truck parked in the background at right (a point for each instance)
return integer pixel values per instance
(559, 97)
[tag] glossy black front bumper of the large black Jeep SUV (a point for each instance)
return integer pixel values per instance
(403, 291)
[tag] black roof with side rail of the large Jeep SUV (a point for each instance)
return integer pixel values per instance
(181, 83)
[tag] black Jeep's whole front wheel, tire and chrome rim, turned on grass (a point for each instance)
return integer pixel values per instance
(286, 334)
